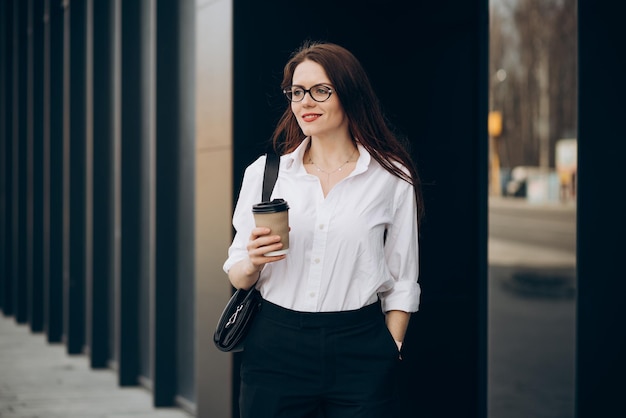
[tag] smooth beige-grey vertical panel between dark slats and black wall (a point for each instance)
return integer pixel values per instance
(213, 197)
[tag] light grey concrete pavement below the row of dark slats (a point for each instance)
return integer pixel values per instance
(40, 380)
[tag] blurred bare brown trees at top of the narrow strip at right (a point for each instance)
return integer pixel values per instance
(534, 41)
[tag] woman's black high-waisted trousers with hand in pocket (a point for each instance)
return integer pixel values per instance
(331, 365)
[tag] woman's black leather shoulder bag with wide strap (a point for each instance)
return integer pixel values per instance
(243, 305)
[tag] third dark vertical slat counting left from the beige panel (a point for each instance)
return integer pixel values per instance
(103, 198)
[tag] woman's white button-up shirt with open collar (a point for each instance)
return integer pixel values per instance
(338, 258)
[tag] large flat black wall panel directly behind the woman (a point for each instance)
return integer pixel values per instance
(428, 61)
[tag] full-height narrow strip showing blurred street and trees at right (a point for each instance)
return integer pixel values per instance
(532, 215)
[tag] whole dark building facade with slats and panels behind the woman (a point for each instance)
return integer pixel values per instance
(125, 127)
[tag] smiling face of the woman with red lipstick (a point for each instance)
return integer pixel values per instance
(317, 119)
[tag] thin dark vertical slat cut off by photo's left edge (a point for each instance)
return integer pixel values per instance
(4, 64)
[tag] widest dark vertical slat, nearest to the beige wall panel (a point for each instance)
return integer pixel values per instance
(168, 121)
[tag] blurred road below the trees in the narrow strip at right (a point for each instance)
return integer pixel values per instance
(531, 310)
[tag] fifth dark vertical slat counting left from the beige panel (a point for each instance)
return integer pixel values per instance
(53, 296)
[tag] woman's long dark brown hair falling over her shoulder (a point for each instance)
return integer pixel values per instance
(366, 120)
